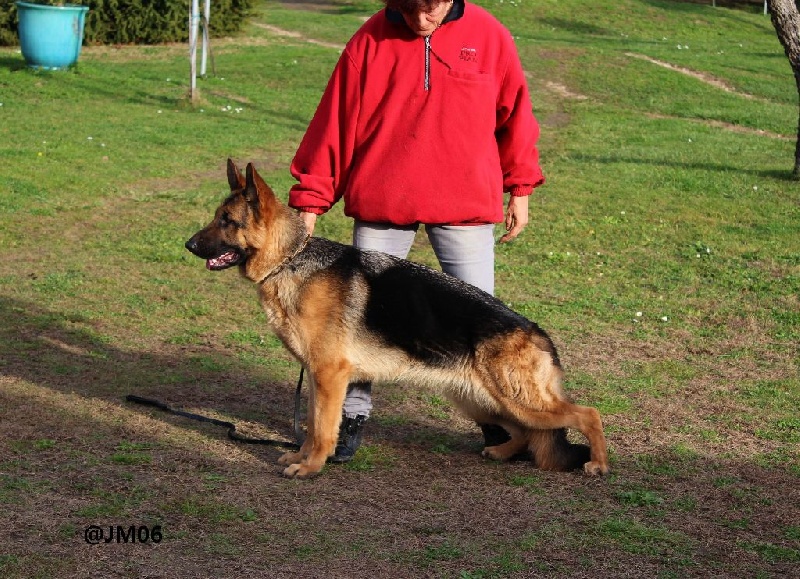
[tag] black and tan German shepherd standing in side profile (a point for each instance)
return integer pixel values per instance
(349, 315)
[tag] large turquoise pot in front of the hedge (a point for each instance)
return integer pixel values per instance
(50, 36)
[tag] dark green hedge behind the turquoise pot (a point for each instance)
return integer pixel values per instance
(137, 21)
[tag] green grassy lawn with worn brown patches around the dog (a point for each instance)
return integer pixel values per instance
(663, 257)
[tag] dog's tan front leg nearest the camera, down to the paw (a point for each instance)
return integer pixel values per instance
(325, 415)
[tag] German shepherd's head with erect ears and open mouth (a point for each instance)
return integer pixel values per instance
(239, 224)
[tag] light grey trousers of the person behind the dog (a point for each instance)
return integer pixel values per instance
(466, 252)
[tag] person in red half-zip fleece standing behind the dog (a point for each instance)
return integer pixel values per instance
(426, 119)
